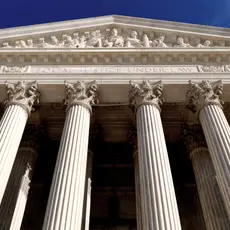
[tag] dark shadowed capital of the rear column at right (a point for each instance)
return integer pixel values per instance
(193, 137)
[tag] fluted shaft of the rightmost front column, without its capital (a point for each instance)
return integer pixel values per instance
(217, 134)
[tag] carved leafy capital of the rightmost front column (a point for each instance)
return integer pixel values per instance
(204, 93)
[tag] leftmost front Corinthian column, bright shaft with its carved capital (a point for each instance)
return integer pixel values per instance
(21, 98)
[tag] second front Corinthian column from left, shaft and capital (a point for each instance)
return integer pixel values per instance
(65, 204)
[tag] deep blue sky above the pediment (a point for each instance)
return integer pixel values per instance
(27, 12)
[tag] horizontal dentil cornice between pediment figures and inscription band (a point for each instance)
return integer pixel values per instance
(116, 56)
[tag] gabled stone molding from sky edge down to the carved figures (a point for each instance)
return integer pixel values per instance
(127, 23)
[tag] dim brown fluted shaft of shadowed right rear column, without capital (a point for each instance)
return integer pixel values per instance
(215, 215)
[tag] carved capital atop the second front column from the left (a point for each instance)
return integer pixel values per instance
(81, 93)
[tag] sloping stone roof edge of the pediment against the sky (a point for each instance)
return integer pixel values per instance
(110, 19)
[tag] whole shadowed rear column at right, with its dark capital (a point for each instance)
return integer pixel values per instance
(215, 215)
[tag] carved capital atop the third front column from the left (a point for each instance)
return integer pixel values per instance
(146, 93)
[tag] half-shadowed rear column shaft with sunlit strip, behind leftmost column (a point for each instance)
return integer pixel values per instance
(14, 200)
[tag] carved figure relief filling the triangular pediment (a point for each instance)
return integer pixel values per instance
(111, 38)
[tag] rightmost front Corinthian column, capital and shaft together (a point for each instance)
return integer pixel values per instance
(205, 99)
